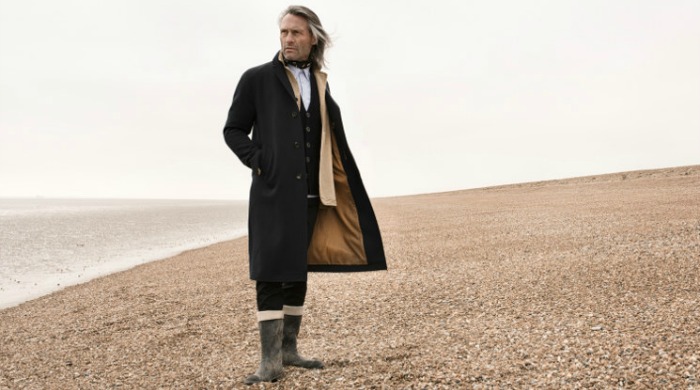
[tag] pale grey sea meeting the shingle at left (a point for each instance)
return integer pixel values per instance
(49, 244)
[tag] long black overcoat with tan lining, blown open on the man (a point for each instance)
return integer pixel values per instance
(346, 235)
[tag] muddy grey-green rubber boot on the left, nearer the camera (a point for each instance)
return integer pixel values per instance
(271, 347)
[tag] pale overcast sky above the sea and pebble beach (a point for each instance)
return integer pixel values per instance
(128, 98)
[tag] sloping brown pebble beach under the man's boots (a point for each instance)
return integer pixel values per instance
(590, 282)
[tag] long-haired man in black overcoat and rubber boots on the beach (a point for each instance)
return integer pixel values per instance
(308, 208)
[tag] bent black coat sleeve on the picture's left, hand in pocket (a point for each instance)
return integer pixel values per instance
(240, 122)
